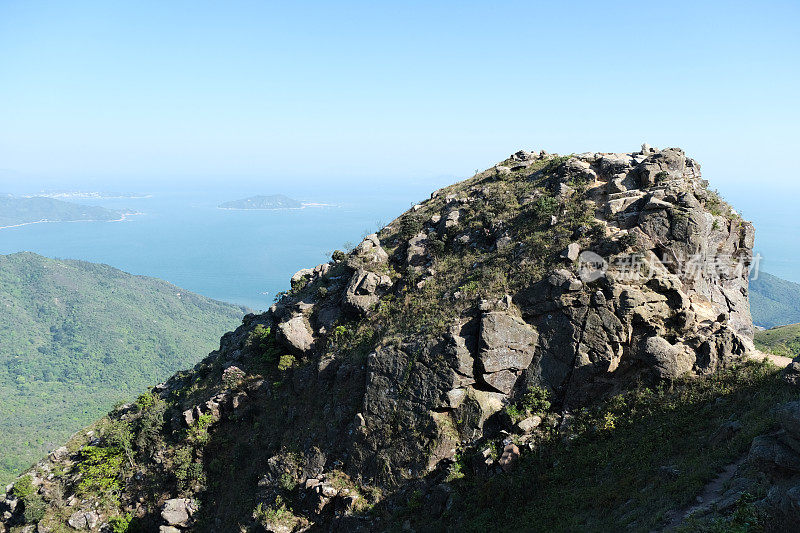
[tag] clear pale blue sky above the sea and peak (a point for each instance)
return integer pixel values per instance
(318, 89)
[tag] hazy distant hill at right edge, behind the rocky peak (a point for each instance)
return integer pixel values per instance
(774, 301)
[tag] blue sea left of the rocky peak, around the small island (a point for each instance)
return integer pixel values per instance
(243, 257)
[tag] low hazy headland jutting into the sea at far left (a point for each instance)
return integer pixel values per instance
(15, 211)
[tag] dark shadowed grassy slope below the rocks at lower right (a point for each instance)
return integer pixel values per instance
(627, 463)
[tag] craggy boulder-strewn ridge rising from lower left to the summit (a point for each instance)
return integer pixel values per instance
(492, 312)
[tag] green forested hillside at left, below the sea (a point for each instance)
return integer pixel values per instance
(76, 337)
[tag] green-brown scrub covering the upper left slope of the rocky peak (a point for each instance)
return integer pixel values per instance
(467, 270)
